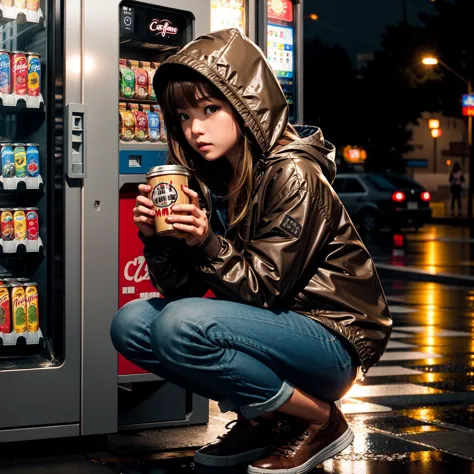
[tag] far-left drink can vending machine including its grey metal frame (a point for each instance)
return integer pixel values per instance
(40, 327)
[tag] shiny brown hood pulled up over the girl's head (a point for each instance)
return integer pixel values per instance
(238, 68)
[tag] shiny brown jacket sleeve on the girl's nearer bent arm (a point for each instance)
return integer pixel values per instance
(293, 225)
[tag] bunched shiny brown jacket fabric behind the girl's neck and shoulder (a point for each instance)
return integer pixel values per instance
(313, 146)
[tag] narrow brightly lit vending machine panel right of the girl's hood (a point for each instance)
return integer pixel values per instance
(281, 47)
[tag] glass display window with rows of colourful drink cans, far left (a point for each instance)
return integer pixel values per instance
(31, 330)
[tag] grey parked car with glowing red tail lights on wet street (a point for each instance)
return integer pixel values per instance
(376, 200)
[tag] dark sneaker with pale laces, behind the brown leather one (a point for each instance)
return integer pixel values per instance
(243, 444)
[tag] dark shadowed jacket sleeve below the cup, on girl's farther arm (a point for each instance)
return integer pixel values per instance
(170, 271)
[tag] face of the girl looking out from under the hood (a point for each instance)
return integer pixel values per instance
(211, 129)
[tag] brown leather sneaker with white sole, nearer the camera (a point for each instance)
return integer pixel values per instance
(300, 446)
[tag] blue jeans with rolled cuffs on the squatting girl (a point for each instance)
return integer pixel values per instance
(248, 359)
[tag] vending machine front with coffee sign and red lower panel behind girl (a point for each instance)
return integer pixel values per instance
(148, 35)
